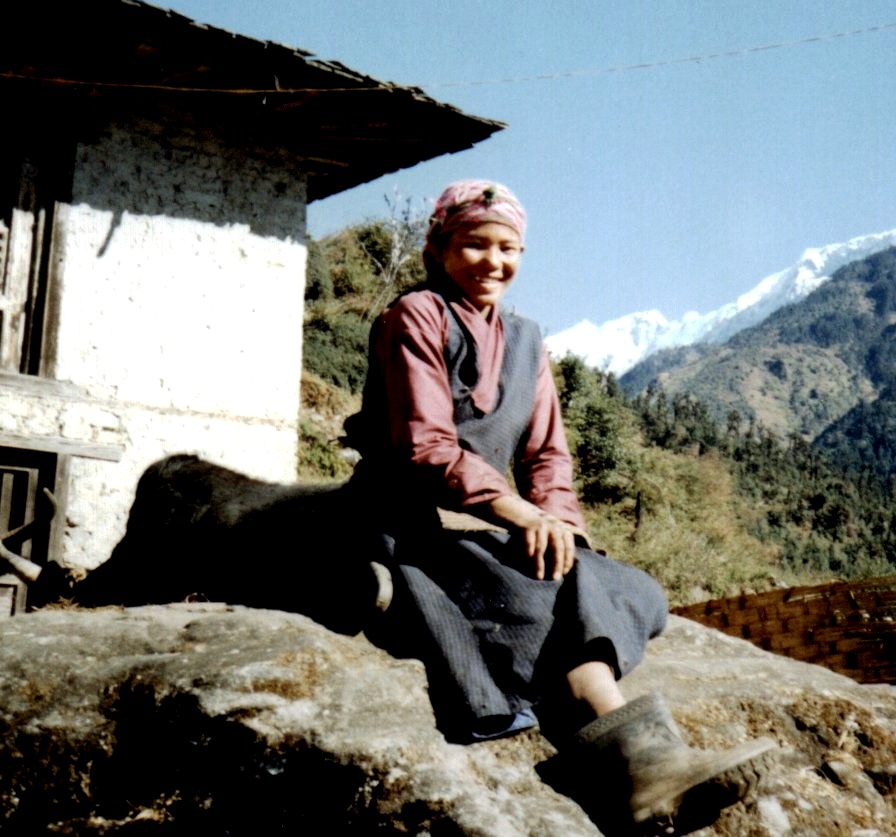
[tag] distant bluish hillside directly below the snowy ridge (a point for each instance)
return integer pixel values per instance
(823, 368)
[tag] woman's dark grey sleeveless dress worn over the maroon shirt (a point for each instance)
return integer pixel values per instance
(493, 638)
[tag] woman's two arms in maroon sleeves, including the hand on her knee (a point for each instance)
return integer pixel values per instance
(410, 351)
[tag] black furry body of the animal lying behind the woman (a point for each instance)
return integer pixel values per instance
(198, 530)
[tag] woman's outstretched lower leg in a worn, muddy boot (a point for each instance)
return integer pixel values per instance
(627, 762)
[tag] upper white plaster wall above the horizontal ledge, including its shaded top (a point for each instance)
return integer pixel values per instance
(170, 298)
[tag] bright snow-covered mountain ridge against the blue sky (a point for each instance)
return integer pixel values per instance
(617, 345)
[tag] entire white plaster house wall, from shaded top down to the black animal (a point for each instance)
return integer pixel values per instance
(181, 279)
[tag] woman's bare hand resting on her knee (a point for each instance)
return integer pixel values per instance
(550, 542)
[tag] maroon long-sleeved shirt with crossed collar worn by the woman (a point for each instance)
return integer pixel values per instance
(410, 351)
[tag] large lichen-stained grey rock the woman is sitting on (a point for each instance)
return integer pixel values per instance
(214, 720)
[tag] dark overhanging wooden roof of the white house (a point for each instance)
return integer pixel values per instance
(345, 128)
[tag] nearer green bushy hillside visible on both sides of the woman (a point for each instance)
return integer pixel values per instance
(709, 507)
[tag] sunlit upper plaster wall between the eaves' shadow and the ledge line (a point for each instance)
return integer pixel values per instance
(181, 314)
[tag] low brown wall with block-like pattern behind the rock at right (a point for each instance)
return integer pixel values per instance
(849, 627)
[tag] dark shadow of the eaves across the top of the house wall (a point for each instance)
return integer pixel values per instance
(142, 158)
